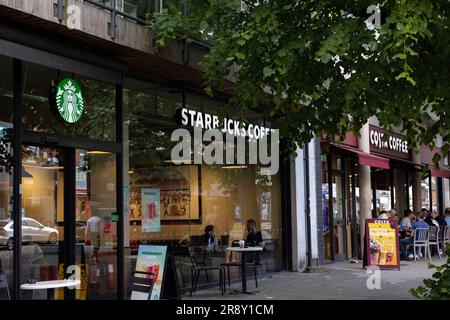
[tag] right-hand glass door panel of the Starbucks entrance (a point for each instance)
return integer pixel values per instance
(96, 222)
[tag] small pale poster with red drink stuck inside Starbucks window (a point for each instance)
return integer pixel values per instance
(151, 218)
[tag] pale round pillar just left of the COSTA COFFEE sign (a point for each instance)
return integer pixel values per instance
(365, 189)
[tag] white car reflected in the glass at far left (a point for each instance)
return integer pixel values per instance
(32, 230)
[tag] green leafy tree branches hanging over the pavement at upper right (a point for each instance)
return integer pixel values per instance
(317, 67)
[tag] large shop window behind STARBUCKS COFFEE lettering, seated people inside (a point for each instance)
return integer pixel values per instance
(199, 205)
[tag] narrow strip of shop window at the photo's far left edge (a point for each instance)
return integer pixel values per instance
(6, 178)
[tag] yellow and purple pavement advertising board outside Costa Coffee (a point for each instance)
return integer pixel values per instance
(382, 243)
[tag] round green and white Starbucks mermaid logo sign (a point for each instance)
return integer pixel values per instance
(69, 100)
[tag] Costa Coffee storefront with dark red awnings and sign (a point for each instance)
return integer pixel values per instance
(392, 170)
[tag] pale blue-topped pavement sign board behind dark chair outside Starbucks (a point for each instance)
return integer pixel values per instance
(151, 259)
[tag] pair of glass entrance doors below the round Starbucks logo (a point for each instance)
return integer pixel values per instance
(69, 217)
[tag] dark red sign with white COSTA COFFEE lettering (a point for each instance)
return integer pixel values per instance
(393, 145)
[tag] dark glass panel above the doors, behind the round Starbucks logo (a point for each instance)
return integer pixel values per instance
(97, 120)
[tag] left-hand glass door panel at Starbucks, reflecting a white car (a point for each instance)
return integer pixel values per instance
(43, 225)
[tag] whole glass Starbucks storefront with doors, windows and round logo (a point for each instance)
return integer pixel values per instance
(68, 130)
